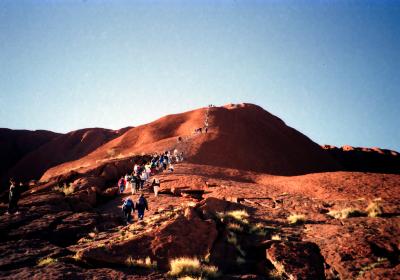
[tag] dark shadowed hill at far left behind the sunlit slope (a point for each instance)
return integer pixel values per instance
(28, 154)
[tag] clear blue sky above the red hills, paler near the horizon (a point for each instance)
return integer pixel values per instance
(330, 69)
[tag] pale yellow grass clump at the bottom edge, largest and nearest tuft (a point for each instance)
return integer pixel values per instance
(191, 267)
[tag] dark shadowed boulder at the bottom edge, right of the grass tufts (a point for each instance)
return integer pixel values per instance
(297, 260)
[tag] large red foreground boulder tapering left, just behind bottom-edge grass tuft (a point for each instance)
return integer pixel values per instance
(186, 236)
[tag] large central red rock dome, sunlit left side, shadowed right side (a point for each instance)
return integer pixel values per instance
(241, 136)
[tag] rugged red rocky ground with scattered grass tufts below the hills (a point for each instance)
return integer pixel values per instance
(337, 225)
